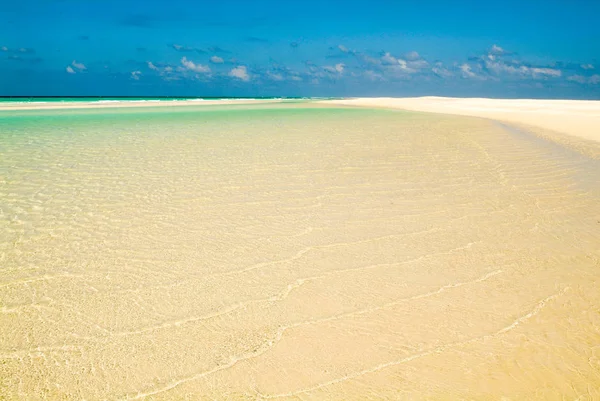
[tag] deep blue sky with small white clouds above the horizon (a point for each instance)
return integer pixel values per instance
(329, 48)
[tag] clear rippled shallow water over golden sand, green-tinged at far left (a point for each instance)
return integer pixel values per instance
(294, 252)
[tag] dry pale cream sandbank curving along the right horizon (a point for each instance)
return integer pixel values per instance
(579, 118)
